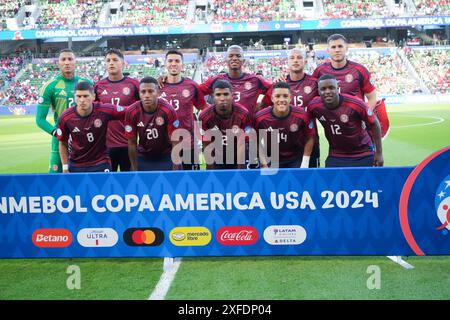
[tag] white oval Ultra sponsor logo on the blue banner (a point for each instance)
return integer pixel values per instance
(97, 237)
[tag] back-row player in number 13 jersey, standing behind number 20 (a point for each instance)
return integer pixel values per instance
(183, 94)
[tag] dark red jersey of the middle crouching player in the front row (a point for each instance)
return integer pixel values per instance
(239, 119)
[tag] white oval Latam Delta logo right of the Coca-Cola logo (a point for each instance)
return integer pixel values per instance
(285, 235)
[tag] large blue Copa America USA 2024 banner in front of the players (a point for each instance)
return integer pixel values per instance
(358, 211)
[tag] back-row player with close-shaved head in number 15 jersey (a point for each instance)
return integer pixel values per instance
(303, 89)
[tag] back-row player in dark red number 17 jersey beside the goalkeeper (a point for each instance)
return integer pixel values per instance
(117, 89)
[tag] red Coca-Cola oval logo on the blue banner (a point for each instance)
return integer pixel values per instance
(237, 235)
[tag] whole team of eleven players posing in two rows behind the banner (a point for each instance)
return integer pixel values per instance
(120, 123)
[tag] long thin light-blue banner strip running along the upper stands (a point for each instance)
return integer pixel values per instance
(226, 27)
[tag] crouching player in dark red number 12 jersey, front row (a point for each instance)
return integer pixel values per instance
(343, 118)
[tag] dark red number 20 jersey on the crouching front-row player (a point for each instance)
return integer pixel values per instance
(153, 129)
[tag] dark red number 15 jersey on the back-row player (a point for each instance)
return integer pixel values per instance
(302, 91)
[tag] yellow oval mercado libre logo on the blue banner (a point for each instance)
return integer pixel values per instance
(190, 236)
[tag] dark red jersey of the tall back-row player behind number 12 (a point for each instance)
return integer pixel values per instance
(353, 78)
